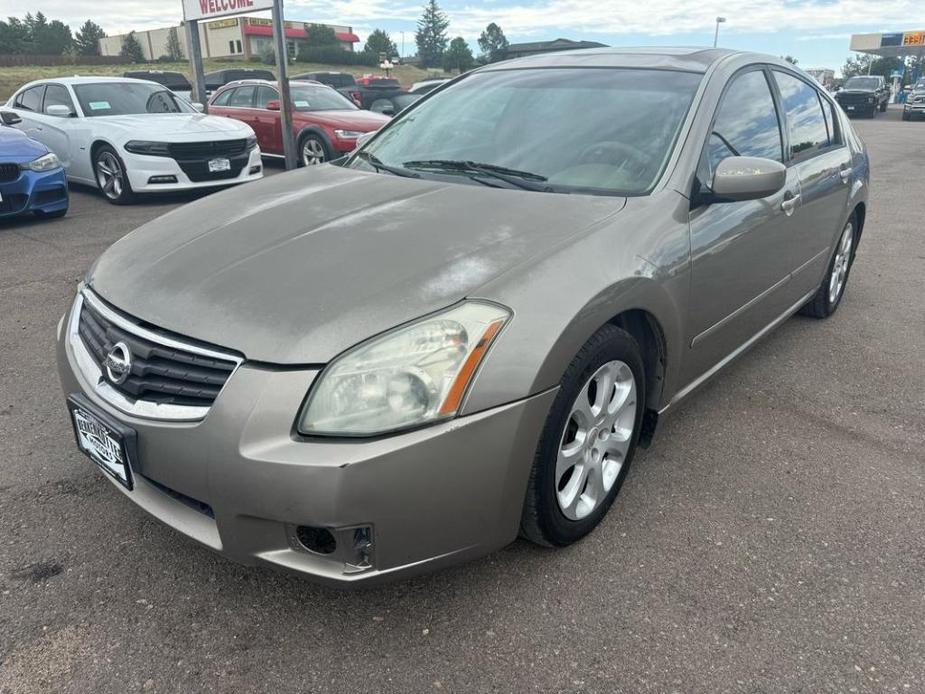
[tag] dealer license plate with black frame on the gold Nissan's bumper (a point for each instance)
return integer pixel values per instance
(109, 444)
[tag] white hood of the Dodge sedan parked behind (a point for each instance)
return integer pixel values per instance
(174, 127)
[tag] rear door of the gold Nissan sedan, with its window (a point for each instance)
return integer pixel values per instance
(822, 162)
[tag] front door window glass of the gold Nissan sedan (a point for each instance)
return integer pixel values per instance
(746, 122)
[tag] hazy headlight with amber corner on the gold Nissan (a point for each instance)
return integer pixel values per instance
(414, 375)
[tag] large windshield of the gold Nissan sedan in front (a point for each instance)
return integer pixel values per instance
(604, 131)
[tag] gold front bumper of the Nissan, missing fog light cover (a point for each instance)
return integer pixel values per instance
(241, 481)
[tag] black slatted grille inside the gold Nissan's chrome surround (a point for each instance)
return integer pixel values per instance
(159, 374)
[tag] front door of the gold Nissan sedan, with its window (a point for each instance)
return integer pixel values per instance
(740, 265)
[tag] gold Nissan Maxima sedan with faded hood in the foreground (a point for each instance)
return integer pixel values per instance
(462, 331)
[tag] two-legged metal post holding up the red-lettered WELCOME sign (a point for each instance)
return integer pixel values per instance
(195, 11)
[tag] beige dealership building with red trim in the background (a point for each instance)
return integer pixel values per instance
(234, 37)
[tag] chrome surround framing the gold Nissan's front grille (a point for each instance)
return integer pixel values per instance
(143, 409)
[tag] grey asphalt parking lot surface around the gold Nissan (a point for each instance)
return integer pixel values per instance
(770, 541)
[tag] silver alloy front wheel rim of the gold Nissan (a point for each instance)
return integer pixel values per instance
(596, 440)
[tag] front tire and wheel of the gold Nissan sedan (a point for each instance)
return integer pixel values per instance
(568, 496)
